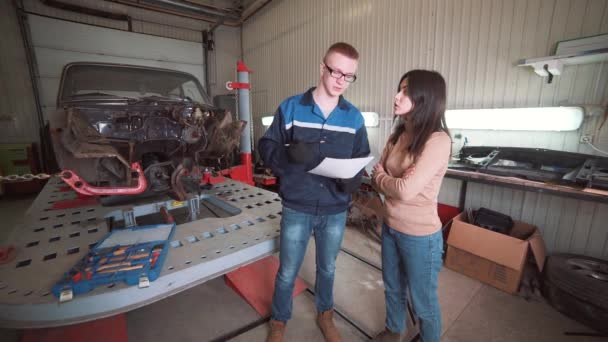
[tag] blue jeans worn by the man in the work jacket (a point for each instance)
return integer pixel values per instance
(296, 229)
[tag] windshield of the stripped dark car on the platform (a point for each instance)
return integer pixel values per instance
(115, 82)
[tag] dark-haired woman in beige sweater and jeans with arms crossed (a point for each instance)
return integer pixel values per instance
(409, 176)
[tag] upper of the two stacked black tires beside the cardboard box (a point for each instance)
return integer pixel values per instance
(582, 277)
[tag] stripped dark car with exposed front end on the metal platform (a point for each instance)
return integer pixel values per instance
(134, 130)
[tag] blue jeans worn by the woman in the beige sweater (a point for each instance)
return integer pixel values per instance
(412, 262)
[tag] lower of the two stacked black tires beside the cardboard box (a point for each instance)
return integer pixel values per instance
(580, 311)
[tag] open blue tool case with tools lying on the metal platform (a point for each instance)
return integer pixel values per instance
(130, 255)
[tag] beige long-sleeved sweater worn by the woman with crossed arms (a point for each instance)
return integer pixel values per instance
(411, 189)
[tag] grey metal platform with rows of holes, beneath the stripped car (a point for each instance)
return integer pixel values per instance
(51, 241)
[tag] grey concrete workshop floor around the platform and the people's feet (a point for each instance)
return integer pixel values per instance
(471, 311)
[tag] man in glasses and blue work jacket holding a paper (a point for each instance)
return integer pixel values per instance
(306, 129)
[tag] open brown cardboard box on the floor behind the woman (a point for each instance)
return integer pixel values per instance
(493, 258)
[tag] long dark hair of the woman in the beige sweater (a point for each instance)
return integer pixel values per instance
(427, 91)
